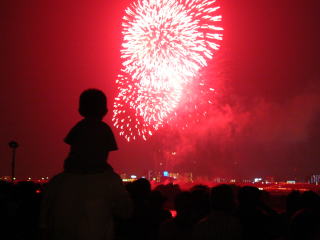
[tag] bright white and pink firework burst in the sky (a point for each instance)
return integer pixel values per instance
(165, 45)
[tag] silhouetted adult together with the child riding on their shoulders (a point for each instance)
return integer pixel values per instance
(82, 201)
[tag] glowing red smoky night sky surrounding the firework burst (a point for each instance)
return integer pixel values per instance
(267, 114)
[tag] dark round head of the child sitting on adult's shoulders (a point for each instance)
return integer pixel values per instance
(93, 104)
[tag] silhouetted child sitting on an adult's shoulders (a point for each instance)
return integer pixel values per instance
(91, 139)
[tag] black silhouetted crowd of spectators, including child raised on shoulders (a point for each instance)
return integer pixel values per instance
(89, 201)
